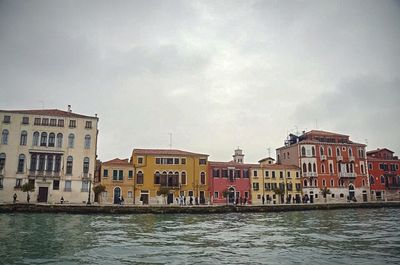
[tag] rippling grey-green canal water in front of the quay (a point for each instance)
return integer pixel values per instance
(357, 236)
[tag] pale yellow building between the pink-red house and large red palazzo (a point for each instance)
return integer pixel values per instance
(274, 183)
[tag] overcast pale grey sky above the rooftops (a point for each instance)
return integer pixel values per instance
(214, 75)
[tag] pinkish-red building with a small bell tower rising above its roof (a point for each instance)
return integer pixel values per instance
(229, 182)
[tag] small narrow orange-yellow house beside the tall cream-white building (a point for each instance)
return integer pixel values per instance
(117, 176)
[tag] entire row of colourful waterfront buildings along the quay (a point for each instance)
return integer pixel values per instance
(55, 152)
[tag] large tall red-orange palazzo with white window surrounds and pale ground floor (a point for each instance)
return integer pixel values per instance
(327, 160)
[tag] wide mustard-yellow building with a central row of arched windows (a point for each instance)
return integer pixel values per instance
(165, 175)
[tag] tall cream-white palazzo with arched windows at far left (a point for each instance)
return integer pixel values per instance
(52, 149)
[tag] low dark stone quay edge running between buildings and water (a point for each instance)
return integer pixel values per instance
(175, 209)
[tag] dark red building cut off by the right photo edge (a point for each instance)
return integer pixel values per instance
(384, 174)
